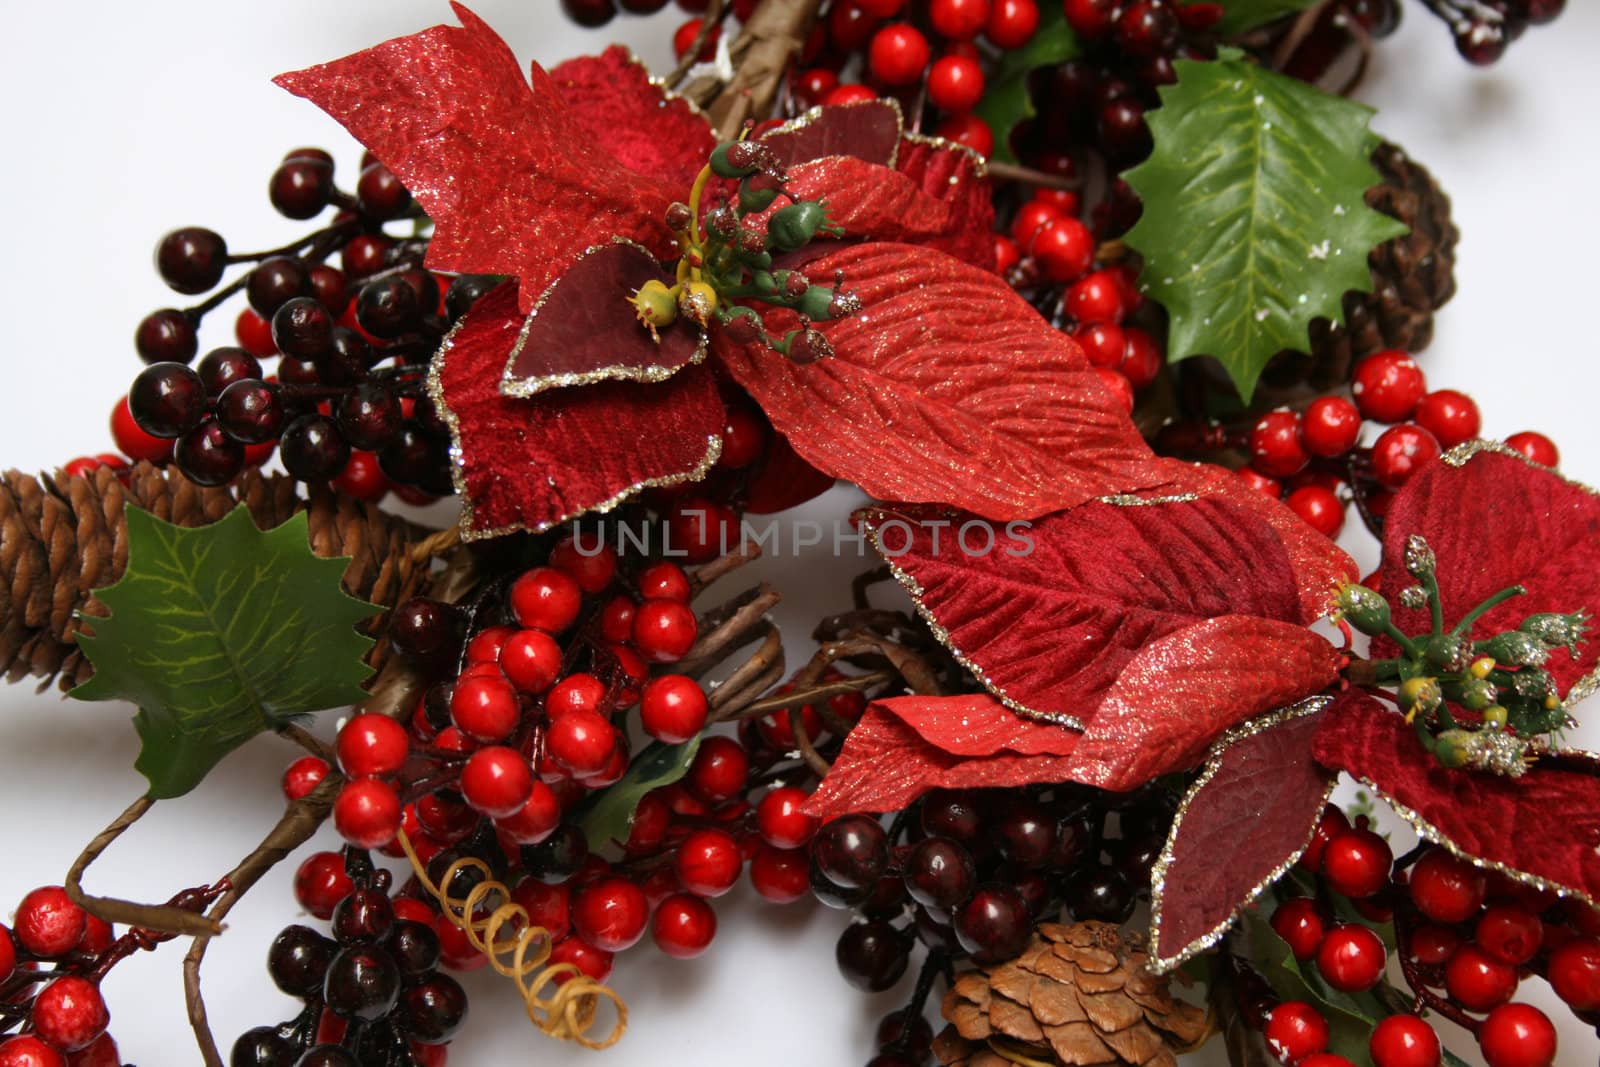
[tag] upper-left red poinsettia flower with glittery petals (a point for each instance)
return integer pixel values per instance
(946, 386)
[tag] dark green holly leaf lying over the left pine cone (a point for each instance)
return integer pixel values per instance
(220, 634)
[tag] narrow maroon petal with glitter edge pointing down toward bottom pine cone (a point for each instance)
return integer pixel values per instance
(1257, 804)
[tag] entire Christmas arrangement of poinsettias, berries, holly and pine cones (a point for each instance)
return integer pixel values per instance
(1111, 310)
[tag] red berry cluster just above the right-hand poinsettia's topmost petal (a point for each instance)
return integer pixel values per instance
(1303, 457)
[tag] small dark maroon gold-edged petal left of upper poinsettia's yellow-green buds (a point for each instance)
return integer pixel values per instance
(583, 330)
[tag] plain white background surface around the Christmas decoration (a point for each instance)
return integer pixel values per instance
(130, 119)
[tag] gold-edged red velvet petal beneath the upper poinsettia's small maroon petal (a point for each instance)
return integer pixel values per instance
(530, 465)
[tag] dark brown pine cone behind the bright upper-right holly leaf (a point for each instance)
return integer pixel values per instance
(1414, 278)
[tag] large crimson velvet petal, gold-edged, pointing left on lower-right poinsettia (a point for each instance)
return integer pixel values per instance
(1049, 613)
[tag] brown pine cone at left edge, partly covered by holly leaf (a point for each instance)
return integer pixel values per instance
(65, 537)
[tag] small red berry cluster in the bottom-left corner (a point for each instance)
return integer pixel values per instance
(62, 1007)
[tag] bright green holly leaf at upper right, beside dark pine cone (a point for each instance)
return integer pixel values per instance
(1255, 215)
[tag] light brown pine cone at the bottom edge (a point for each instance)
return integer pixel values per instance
(1079, 996)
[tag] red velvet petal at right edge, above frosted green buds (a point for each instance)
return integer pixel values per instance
(1495, 521)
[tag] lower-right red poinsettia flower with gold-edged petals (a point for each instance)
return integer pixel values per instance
(1134, 642)
